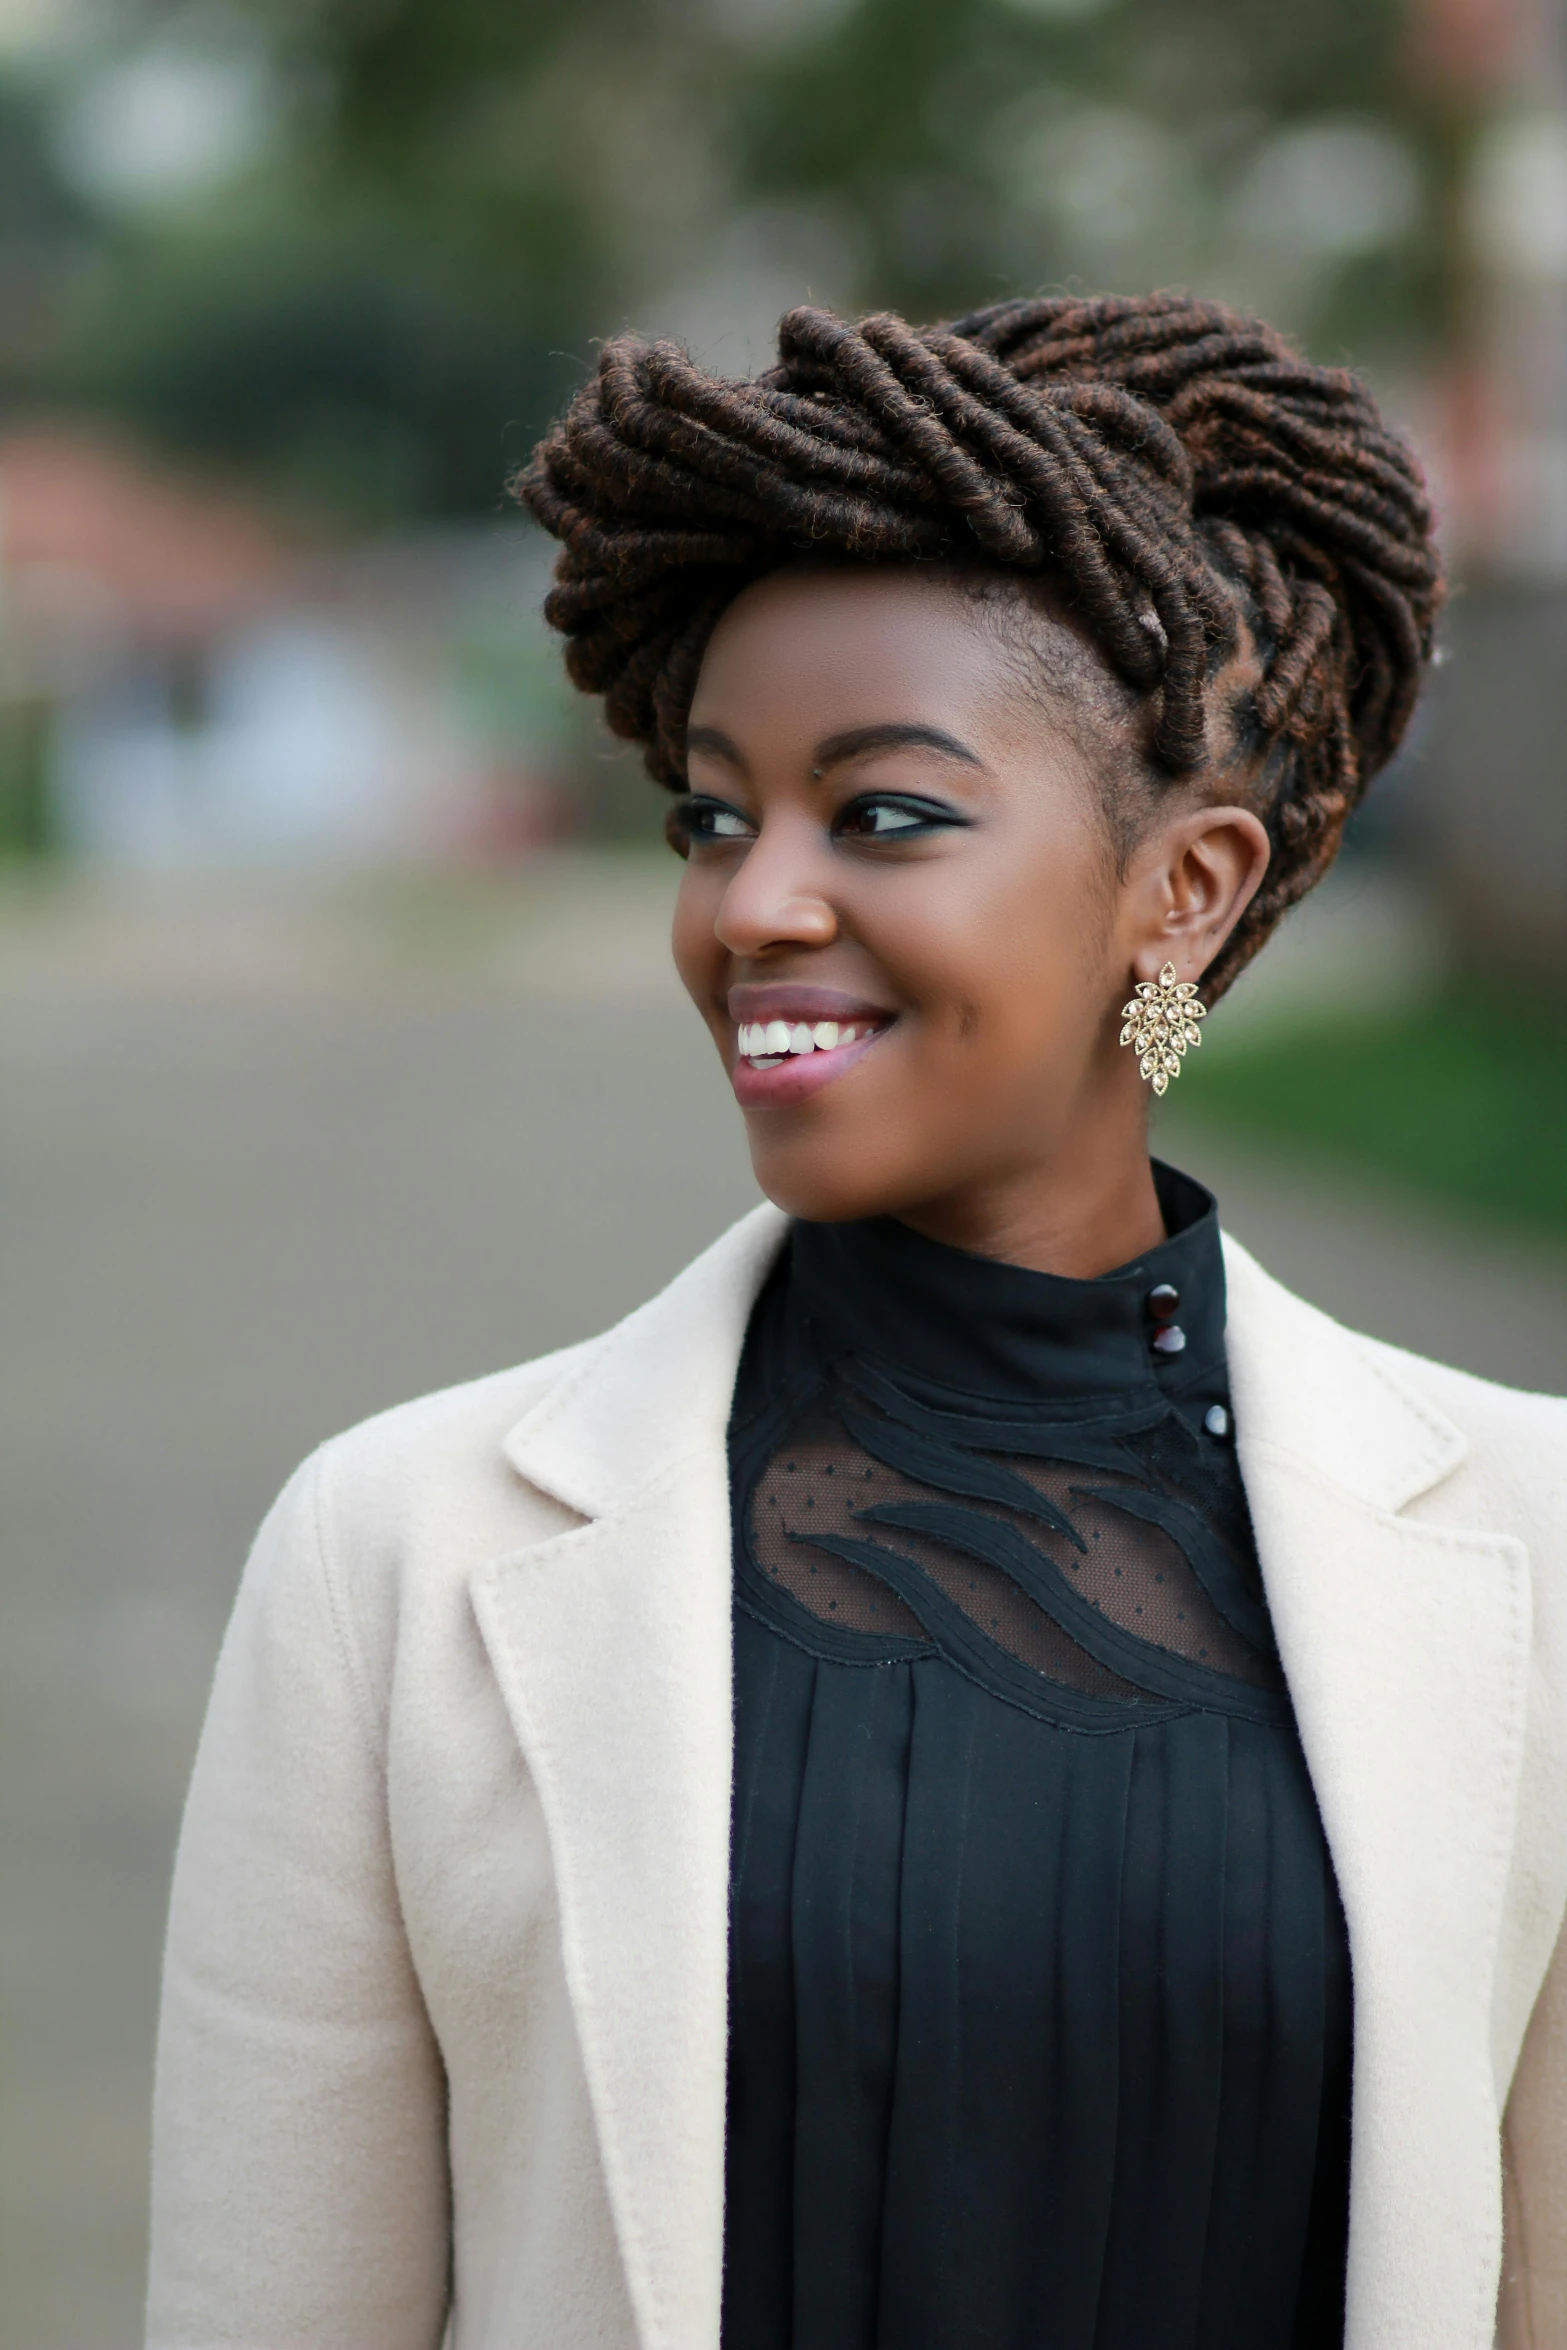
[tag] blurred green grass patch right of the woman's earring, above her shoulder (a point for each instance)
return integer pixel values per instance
(1460, 1099)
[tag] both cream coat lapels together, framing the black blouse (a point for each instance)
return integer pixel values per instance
(1406, 1649)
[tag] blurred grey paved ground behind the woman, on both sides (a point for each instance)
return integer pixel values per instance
(269, 1167)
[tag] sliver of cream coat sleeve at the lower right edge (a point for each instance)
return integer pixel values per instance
(1533, 2309)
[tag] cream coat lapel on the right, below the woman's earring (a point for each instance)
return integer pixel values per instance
(1406, 1649)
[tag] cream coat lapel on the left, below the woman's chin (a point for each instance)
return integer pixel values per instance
(612, 1646)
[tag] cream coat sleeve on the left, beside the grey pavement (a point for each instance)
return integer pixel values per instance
(300, 2147)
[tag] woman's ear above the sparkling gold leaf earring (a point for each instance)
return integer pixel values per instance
(1190, 887)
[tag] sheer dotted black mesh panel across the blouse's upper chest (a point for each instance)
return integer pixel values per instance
(1134, 1573)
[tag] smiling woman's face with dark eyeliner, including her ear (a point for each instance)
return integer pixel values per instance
(901, 911)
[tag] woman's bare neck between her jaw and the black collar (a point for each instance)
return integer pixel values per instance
(1082, 1214)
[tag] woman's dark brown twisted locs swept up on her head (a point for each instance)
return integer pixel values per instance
(1178, 469)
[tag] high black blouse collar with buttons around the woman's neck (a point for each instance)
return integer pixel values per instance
(1004, 1334)
